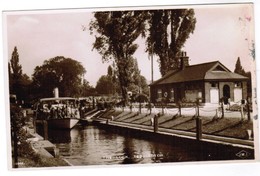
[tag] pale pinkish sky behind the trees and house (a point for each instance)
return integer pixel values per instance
(222, 32)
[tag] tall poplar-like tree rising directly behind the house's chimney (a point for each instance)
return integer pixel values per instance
(179, 23)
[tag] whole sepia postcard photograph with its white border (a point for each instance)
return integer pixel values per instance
(149, 85)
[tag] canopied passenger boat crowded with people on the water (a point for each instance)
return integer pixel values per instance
(59, 112)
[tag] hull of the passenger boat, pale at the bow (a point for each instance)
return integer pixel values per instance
(66, 123)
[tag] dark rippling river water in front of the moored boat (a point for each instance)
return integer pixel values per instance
(92, 145)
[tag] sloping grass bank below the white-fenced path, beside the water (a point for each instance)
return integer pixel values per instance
(227, 127)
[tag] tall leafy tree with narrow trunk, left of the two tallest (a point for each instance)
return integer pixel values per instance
(117, 32)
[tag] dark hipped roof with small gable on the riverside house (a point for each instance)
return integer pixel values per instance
(205, 71)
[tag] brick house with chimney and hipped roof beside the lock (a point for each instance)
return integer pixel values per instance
(205, 82)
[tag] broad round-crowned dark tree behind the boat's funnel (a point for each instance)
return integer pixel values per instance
(61, 72)
